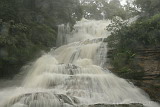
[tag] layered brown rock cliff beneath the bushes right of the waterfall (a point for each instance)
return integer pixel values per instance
(148, 78)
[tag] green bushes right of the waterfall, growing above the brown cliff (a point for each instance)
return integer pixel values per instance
(126, 39)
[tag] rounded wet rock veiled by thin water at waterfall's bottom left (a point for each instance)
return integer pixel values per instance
(42, 99)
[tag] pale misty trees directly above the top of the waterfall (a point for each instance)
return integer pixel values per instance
(99, 9)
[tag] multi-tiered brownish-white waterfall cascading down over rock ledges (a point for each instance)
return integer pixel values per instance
(73, 74)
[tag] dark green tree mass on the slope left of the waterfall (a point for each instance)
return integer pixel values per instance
(29, 26)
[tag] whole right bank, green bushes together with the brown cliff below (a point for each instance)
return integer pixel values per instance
(133, 45)
